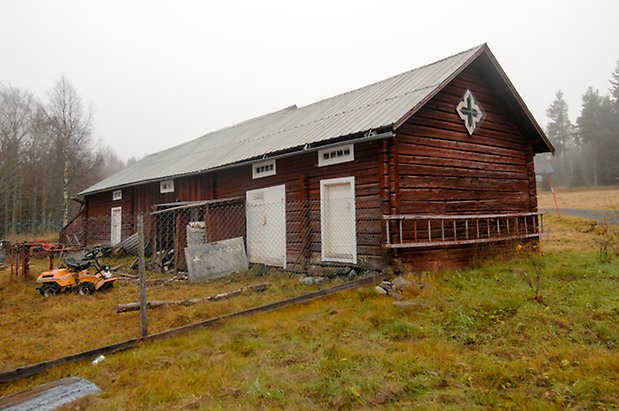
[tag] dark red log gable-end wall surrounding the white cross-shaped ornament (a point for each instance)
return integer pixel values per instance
(444, 170)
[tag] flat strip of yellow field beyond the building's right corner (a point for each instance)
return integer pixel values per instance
(593, 198)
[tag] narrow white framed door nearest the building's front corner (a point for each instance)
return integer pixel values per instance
(338, 220)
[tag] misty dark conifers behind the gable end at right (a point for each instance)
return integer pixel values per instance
(587, 151)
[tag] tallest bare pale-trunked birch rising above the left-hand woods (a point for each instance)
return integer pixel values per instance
(70, 126)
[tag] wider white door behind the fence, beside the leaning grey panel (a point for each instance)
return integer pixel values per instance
(266, 226)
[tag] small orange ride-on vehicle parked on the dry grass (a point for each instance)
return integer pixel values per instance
(76, 277)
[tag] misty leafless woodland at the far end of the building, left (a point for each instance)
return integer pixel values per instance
(47, 155)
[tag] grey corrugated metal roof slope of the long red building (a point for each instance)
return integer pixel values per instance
(371, 107)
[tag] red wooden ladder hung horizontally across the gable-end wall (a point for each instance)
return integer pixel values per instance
(416, 231)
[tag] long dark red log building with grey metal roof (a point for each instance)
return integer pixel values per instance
(434, 166)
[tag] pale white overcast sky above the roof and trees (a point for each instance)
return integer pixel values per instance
(158, 73)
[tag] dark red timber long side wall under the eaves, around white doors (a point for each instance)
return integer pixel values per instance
(301, 176)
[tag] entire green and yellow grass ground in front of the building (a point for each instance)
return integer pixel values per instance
(480, 338)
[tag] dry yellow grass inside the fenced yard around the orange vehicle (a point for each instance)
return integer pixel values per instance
(35, 328)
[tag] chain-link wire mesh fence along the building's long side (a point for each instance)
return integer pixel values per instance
(295, 236)
